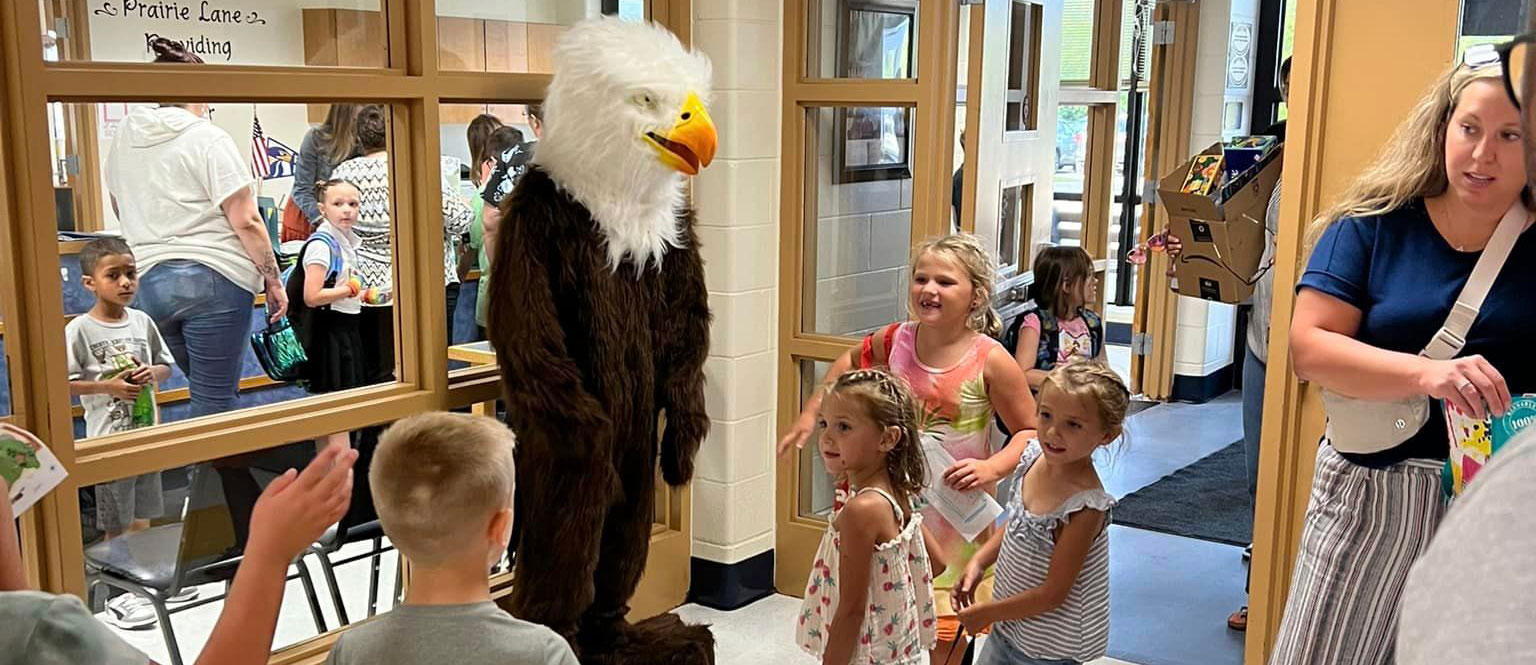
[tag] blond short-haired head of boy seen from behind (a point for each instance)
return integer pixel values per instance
(442, 481)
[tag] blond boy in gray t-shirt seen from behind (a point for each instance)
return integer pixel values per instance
(443, 489)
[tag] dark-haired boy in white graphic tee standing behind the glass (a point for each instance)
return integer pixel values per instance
(116, 360)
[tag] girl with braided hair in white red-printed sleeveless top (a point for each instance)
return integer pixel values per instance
(872, 592)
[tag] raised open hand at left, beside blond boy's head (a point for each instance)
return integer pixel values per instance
(297, 508)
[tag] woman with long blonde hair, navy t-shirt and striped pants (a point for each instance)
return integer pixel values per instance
(1389, 262)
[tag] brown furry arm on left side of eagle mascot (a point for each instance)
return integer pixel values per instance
(546, 399)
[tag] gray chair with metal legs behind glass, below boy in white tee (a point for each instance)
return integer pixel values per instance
(162, 561)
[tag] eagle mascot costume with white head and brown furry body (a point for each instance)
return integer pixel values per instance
(601, 323)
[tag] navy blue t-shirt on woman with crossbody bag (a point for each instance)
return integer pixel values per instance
(1405, 279)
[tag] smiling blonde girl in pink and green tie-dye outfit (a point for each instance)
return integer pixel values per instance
(959, 377)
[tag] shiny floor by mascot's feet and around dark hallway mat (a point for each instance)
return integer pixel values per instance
(1170, 595)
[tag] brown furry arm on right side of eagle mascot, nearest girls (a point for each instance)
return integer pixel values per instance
(686, 346)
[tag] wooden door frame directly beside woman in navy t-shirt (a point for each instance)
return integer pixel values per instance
(1331, 137)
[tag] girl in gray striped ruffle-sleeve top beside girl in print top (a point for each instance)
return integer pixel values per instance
(1051, 603)
